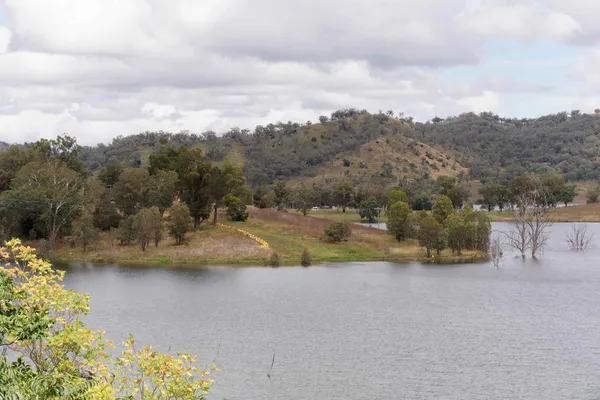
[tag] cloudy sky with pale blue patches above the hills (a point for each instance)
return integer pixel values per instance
(101, 68)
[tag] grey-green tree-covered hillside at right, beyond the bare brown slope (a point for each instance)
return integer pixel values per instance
(495, 147)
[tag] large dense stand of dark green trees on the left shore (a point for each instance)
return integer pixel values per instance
(46, 191)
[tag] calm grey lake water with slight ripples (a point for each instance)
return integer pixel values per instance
(528, 330)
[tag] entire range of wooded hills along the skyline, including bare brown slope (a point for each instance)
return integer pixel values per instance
(362, 146)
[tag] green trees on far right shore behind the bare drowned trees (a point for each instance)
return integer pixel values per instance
(554, 187)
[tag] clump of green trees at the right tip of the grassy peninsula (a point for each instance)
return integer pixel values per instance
(443, 227)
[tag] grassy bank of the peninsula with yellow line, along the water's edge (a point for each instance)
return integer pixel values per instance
(286, 233)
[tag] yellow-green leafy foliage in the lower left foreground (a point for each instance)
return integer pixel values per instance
(49, 353)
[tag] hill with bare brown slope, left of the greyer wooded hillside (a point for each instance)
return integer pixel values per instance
(351, 144)
